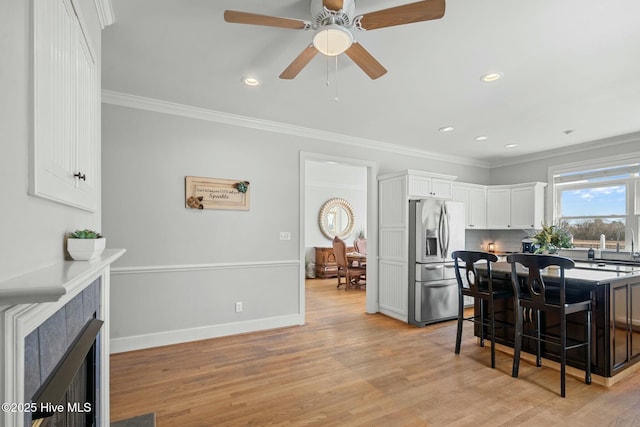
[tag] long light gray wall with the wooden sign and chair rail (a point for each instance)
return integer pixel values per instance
(185, 269)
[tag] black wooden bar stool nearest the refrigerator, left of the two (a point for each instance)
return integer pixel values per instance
(478, 287)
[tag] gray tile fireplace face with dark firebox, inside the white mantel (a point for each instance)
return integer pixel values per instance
(62, 364)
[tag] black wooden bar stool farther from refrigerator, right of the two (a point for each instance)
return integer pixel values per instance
(533, 296)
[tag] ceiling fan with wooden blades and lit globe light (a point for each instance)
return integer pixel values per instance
(334, 22)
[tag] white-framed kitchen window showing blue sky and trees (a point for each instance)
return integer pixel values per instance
(599, 201)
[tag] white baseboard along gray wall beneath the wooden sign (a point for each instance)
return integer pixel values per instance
(139, 342)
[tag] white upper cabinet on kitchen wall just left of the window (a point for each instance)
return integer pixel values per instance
(518, 206)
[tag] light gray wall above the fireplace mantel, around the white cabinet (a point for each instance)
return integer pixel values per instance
(32, 228)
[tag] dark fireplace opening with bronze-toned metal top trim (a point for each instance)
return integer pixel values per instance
(68, 397)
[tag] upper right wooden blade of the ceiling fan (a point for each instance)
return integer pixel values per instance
(405, 14)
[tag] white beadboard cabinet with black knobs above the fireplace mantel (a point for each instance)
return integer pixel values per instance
(66, 107)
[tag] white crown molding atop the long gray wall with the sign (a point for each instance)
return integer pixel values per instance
(166, 107)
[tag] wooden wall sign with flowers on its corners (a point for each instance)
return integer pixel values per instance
(214, 193)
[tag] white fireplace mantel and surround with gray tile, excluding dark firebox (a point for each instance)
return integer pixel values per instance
(42, 313)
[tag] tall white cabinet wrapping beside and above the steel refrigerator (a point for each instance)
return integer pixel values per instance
(395, 191)
